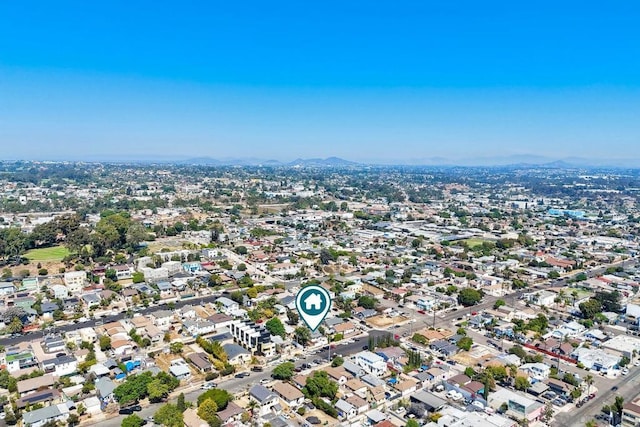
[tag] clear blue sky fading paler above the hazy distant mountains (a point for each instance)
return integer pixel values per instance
(363, 80)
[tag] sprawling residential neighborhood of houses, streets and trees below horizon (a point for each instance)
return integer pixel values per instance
(135, 295)
